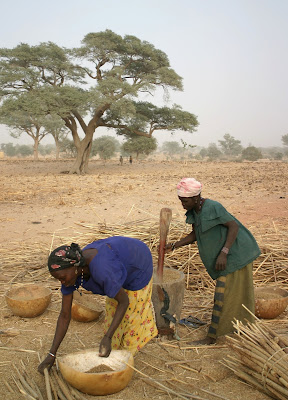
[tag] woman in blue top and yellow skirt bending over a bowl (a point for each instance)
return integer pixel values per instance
(118, 267)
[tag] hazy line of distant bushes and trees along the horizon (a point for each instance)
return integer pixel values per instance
(106, 147)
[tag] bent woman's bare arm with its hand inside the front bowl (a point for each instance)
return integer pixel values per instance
(123, 303)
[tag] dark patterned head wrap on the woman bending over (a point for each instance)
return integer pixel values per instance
(66, 257)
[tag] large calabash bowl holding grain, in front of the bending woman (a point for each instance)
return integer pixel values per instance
(78, 370)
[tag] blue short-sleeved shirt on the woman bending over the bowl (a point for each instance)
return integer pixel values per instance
(120, 262)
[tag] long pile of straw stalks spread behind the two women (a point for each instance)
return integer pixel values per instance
(29, 262)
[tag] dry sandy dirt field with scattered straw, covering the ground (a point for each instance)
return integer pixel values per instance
(40, 206)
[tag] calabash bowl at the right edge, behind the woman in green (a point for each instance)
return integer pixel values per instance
(270, 302)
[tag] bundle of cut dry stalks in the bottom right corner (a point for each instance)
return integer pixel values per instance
(262, 358)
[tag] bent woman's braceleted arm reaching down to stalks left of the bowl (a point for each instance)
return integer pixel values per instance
(60, 332)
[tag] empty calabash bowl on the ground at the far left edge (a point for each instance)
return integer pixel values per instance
(29, 300)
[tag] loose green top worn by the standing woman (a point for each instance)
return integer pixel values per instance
(211, 237)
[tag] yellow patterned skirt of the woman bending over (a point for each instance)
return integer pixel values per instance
(138, 326)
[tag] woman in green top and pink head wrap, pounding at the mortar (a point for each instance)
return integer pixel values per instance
(227, 250)
